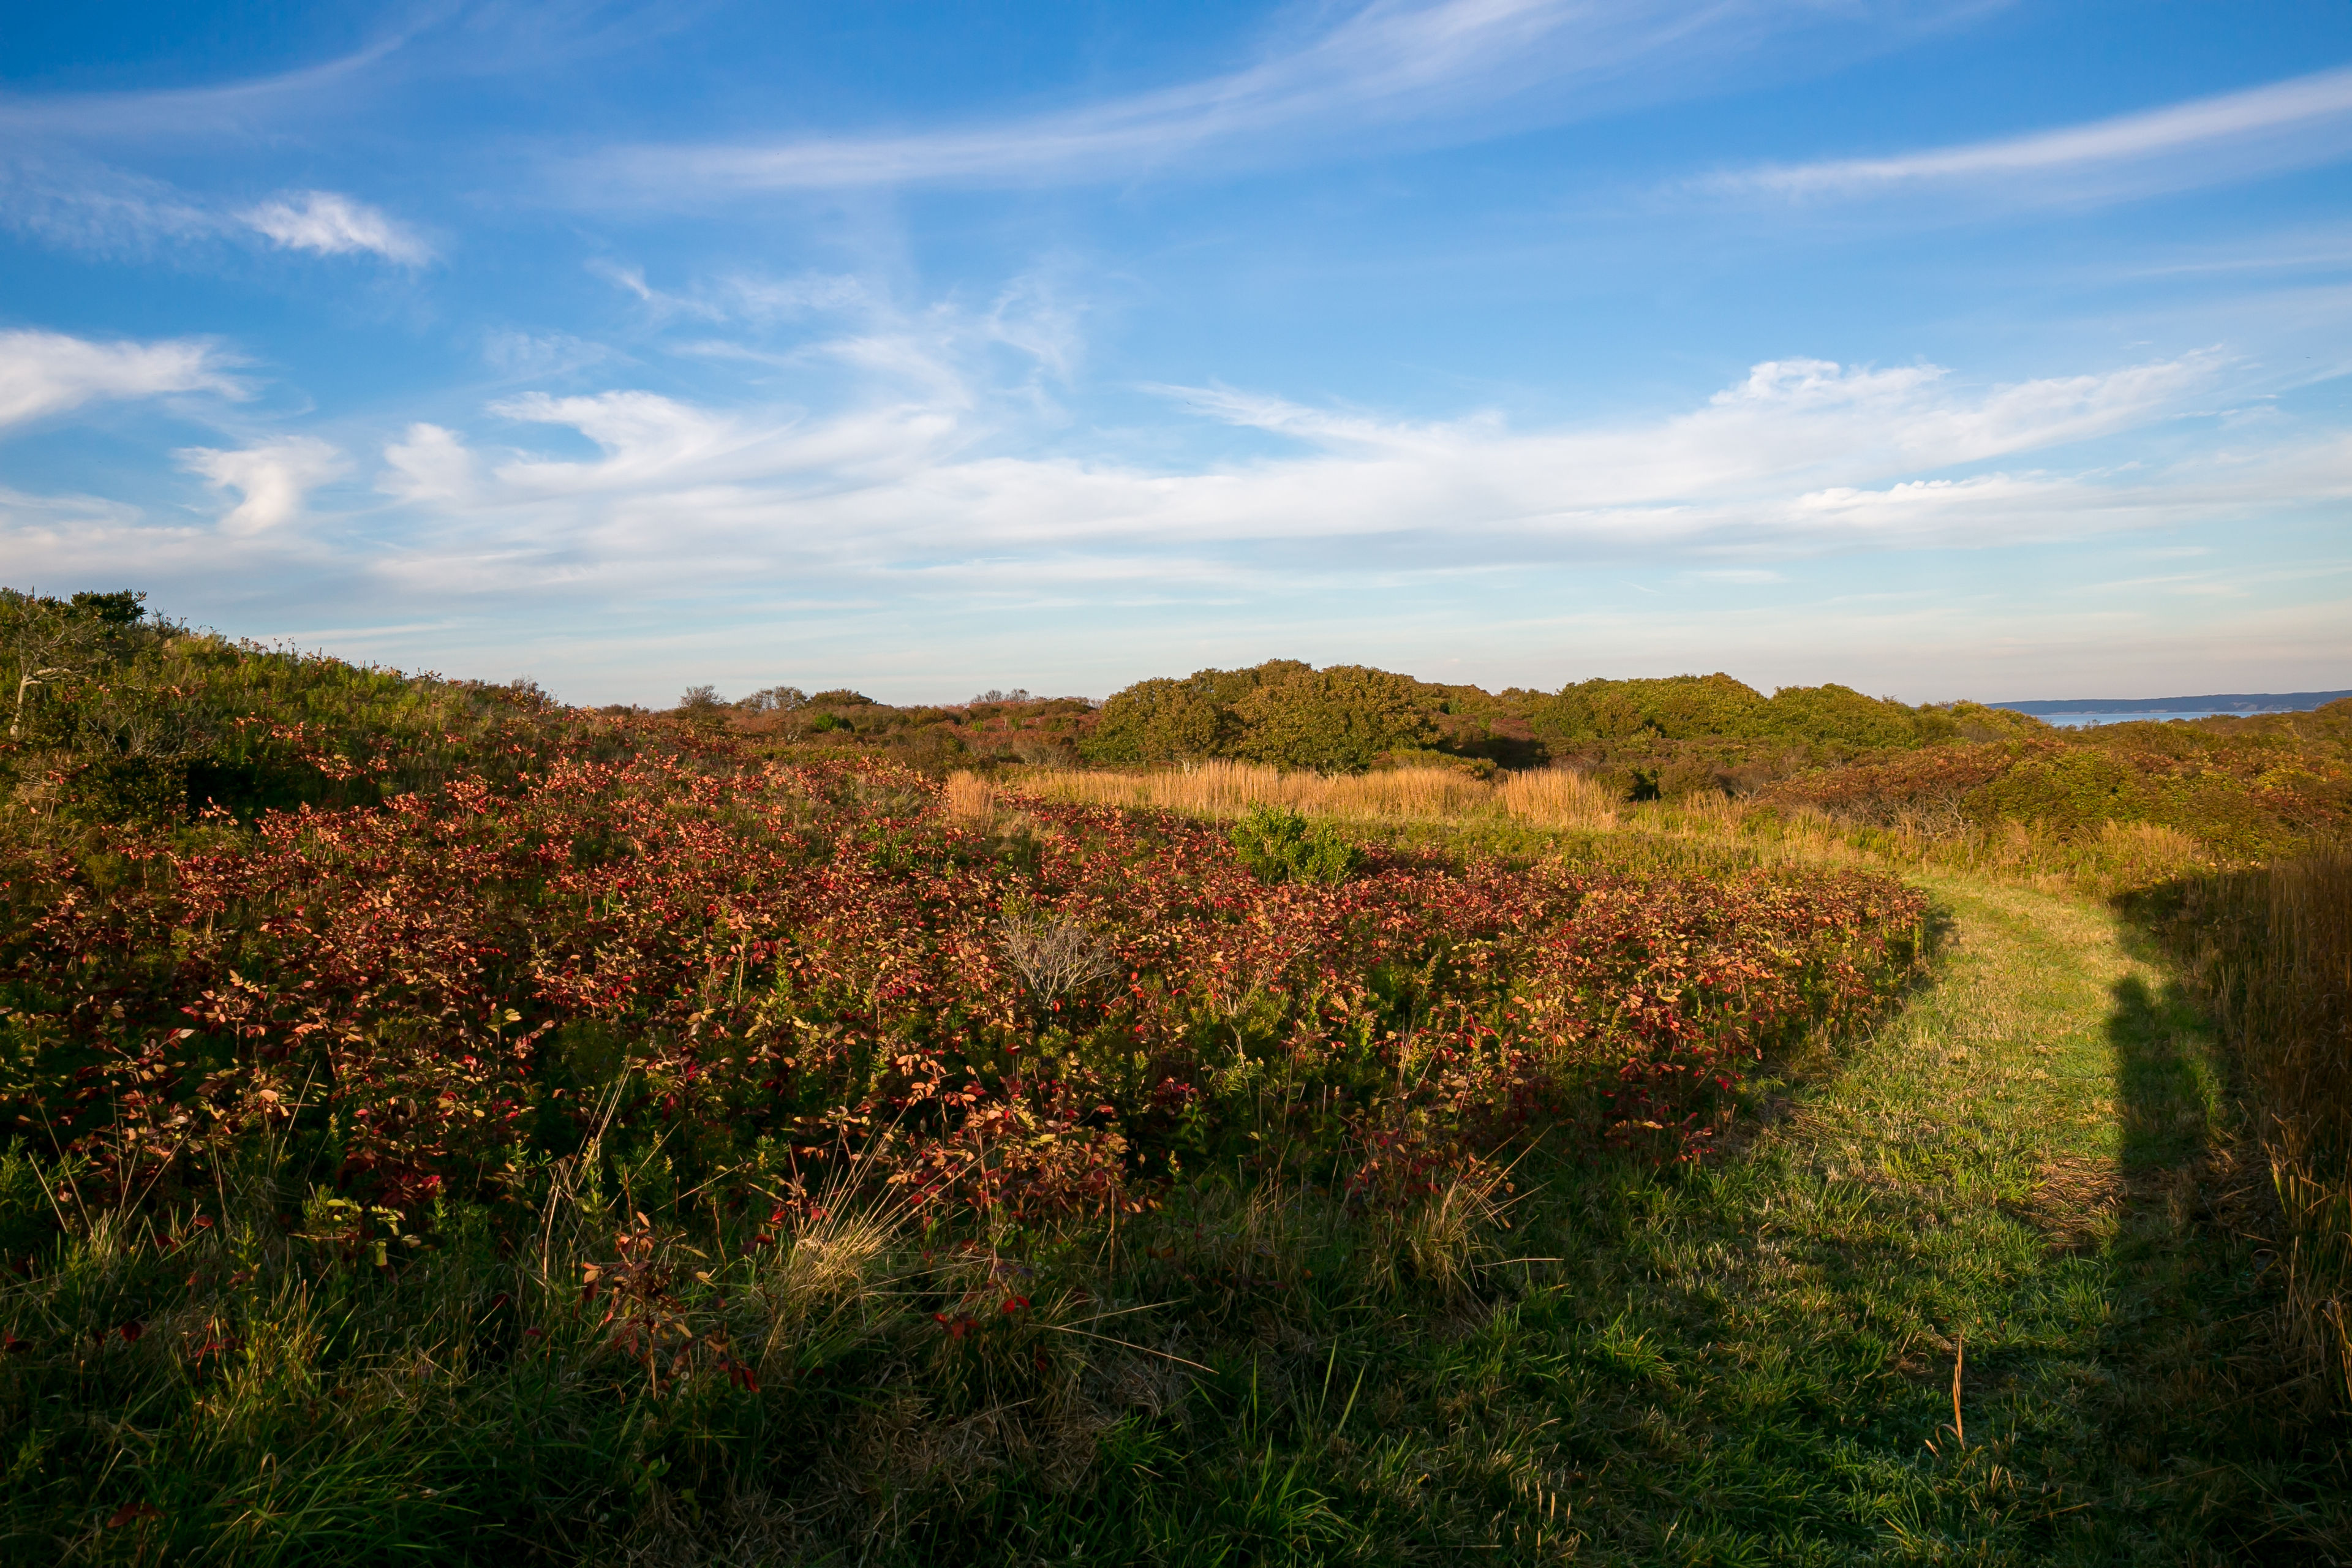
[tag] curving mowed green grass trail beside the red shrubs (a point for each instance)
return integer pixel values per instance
(2007, 1181)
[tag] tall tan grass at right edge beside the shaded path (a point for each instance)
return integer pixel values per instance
(2273, 956)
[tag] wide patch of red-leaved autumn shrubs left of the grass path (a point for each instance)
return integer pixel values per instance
(789, 977)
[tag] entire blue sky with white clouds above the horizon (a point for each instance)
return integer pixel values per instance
(1935, 347)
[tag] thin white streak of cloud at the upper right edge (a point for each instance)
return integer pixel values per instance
(2297, 123)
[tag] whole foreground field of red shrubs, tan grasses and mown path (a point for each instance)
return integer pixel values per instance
(453, 1127)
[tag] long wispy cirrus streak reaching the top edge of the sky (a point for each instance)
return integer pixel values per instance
(1445, 67)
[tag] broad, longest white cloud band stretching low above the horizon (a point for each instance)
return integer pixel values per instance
(1798, 457)
